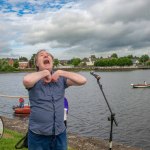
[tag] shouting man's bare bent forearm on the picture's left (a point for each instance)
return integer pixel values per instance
(30, 79)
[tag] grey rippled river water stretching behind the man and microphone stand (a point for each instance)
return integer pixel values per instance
(88, 111)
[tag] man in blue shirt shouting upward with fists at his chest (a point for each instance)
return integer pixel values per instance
(46, 88)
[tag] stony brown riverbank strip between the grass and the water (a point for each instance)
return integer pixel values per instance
(75, 141)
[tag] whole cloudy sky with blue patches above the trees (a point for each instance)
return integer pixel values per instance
(74, 28)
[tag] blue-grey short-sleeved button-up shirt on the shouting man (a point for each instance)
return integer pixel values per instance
(47, 107)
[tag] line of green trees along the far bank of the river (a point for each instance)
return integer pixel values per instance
(113, 60)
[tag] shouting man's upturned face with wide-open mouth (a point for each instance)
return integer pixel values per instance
(44, 61)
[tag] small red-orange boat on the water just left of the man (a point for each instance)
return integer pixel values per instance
(23, 110)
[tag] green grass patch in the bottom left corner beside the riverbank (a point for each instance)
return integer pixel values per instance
(10, 138)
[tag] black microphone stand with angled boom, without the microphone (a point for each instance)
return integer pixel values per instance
(112, 116)
